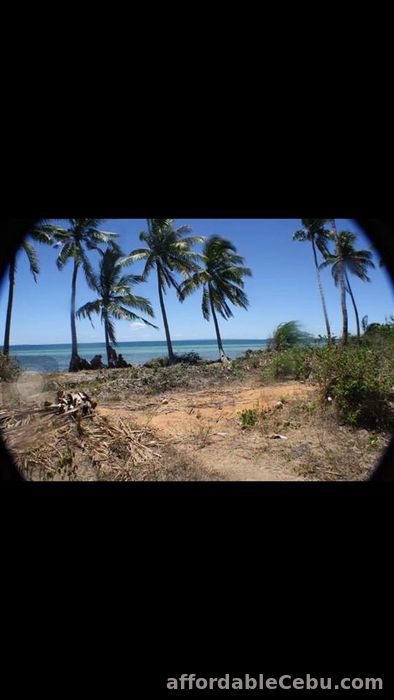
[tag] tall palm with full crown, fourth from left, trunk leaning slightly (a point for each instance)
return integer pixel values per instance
(167, 251)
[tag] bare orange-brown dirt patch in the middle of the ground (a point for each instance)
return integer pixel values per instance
(204, 426)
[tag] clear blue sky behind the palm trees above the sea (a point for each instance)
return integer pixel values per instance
(283, 288)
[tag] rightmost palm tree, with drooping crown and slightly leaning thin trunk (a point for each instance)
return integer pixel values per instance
(347, 258)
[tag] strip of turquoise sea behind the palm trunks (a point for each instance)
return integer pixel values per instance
(56, 358)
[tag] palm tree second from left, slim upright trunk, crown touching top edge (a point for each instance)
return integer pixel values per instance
(81, 235)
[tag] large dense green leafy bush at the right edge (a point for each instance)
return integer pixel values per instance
(359, 382)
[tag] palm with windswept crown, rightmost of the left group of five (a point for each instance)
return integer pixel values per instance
(222, 282)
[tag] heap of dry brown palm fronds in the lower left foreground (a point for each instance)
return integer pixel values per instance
(50, 445)
